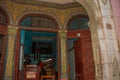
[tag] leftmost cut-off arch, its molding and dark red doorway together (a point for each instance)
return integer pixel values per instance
(6, 20)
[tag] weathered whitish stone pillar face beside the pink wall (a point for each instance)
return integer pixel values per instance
(108, 43)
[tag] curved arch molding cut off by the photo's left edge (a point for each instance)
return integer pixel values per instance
(8, 14)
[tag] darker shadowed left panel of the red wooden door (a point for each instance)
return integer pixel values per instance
(78, 59)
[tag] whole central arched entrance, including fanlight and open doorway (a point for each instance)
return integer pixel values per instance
(36, 43)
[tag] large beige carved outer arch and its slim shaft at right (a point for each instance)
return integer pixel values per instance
(94, 22)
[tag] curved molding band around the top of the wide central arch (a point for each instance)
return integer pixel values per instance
(38, 13)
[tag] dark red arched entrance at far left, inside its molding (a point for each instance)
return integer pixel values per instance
(3, 40)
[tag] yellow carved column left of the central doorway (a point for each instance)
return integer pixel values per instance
(12, 31)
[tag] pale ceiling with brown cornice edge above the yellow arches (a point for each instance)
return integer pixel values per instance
(61, 4)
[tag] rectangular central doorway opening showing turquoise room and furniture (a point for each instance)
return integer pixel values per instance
(38, 54)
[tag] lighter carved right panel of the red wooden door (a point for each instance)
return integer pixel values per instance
(88, 62)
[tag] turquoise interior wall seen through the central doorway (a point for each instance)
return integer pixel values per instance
(26, 40)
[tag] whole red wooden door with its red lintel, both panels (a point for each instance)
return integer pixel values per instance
(84, 63)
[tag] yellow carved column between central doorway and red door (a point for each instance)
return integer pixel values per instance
(63, 53)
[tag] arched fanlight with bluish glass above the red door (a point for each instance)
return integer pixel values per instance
(78, 22)
